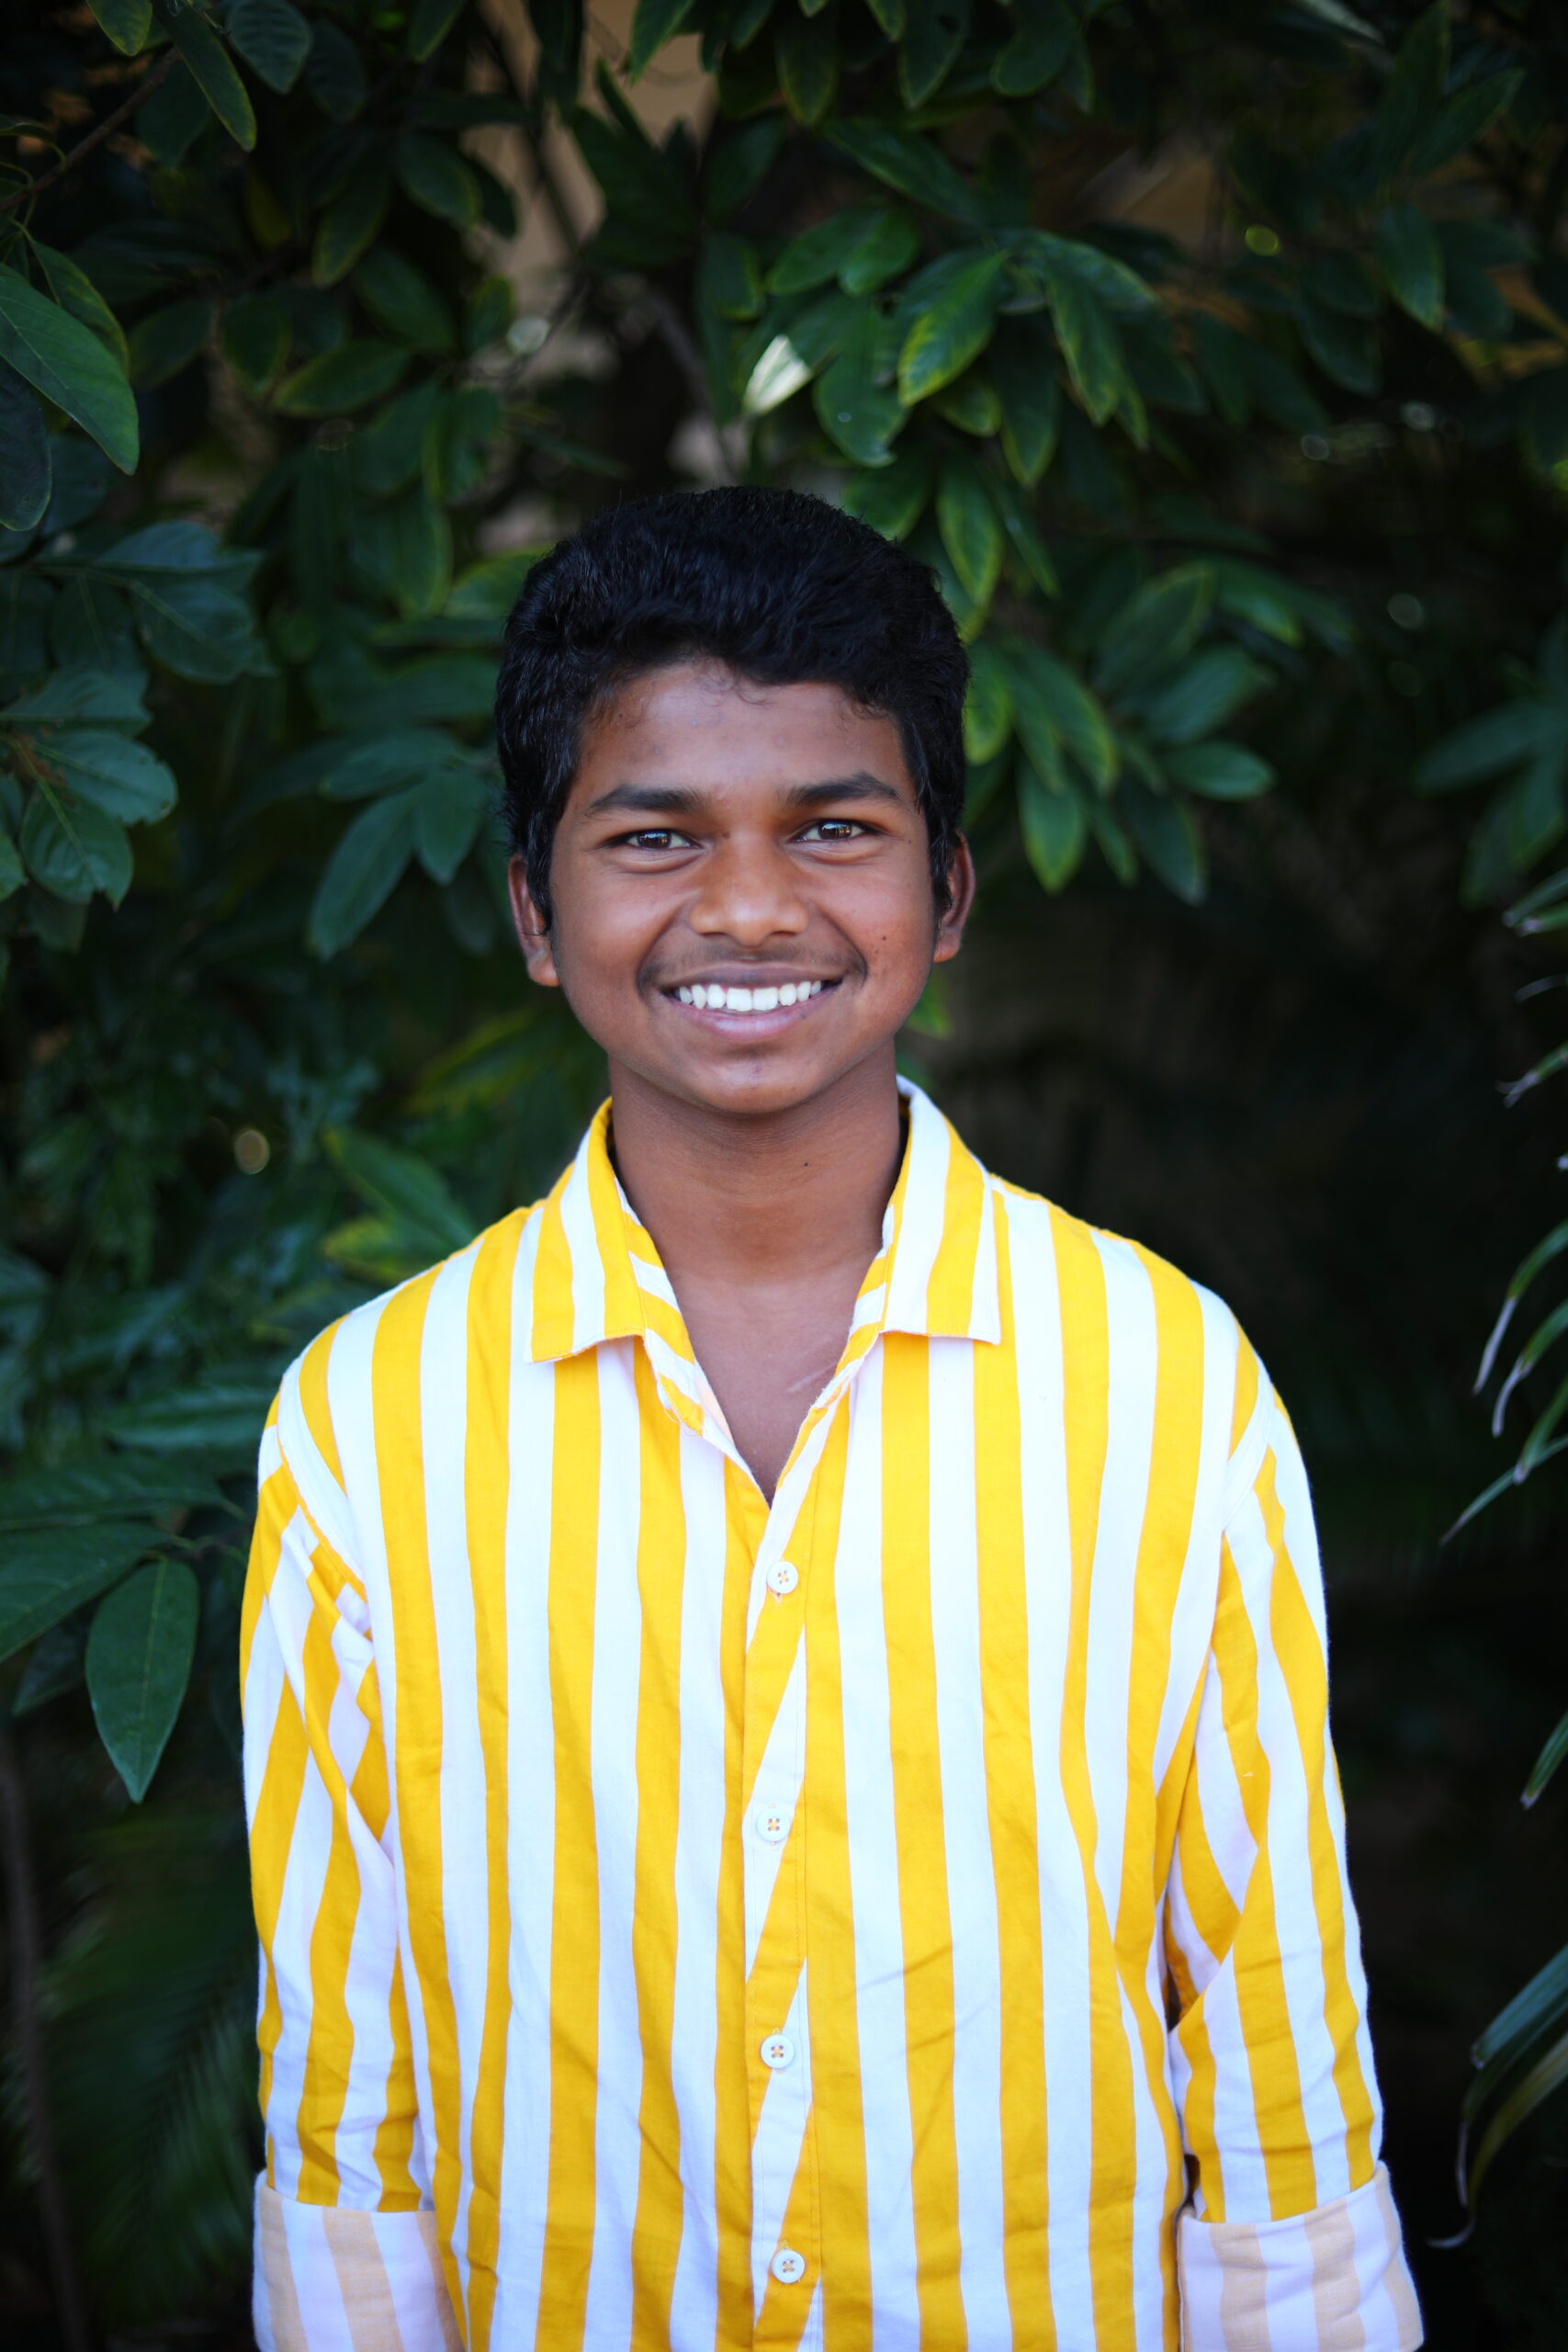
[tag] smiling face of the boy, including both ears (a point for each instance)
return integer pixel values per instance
(725, 836)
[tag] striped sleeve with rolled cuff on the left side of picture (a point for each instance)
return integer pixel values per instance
(347, 2254)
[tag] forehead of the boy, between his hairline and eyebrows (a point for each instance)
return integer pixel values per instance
(702, 726)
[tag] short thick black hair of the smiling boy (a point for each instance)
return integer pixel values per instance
(777, 587)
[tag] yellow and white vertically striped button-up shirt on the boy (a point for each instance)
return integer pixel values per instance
(909, 1916)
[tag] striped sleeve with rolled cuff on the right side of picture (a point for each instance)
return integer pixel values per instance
(1292, 2240)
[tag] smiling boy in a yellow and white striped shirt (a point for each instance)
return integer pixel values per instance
(786, 1718)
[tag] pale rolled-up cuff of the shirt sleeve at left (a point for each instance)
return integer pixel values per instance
(342, 2280)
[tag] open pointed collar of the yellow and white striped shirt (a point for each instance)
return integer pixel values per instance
(598, 1276)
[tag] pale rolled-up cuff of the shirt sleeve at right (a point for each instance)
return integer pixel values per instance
(1332, 2280)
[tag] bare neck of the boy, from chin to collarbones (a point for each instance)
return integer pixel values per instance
(775, 1198)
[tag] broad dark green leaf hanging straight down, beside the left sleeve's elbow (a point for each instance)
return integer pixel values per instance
(138, 1666)
